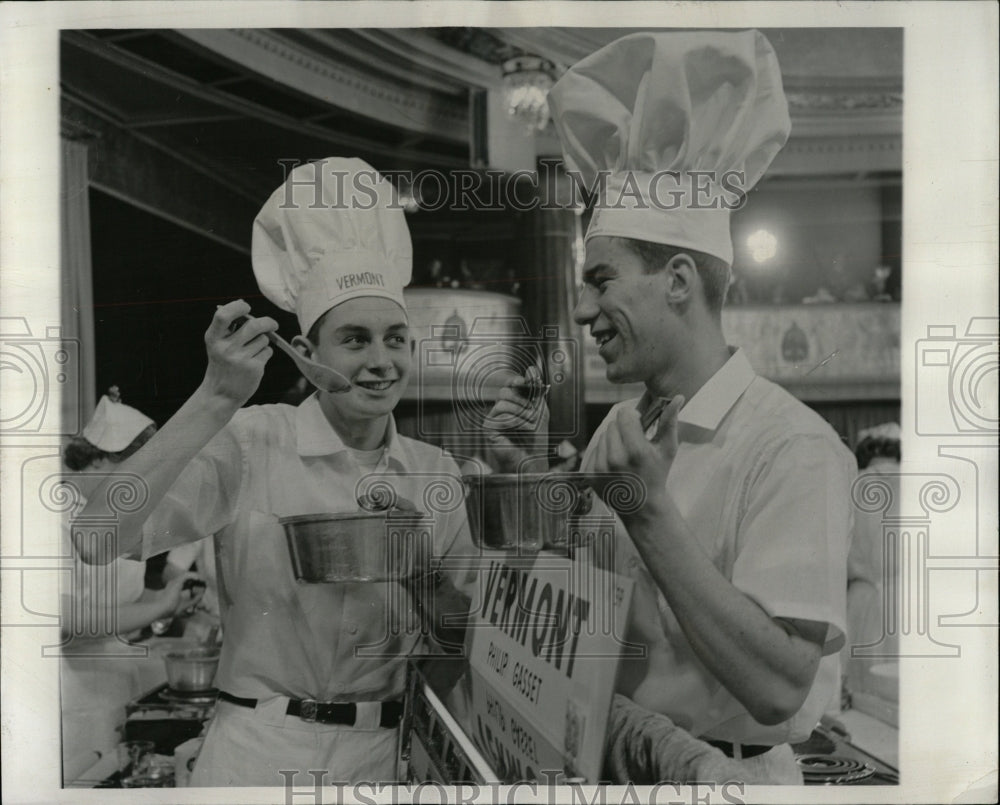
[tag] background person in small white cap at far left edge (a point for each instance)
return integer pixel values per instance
(95, 689)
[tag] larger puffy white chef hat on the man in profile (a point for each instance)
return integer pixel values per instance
(655, 110)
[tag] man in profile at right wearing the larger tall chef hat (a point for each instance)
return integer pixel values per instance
(739, 550)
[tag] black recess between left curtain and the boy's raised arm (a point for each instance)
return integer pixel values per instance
(156, 287)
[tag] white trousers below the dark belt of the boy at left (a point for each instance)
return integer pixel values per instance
(253, 747)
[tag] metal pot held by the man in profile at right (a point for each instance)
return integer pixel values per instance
(527, 512)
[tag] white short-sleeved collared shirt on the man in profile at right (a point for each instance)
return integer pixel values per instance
(765, 485)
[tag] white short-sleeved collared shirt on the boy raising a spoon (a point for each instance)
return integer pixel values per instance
(283, 637)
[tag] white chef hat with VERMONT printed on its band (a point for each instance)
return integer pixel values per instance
(331, 232)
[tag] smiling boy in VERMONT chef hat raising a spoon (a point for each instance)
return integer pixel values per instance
(311, 676)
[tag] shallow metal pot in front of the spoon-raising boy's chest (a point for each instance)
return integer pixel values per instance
(358, 547)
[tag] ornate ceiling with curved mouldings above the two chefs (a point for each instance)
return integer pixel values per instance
(226, 106)
